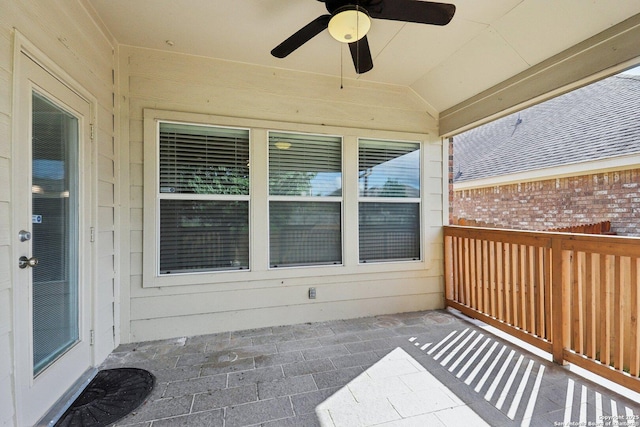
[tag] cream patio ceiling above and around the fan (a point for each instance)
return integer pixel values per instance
(487, 41)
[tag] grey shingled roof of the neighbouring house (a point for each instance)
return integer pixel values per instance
(594, 122)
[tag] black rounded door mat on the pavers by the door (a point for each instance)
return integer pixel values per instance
(112, 394)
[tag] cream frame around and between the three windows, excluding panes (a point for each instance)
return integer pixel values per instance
(143, 267)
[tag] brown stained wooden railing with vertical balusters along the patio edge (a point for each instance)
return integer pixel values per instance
(575, 296)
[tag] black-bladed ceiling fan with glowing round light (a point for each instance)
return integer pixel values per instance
(349, 21)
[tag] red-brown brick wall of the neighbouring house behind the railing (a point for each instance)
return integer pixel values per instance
(553, 203)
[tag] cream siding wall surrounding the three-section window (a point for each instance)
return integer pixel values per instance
(296, 102)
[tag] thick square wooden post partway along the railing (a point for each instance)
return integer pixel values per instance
(559, 262)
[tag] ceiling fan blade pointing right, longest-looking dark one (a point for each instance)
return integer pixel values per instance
(421, 12)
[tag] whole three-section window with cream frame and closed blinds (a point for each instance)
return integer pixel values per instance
(211, 216)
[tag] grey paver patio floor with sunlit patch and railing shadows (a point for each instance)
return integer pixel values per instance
(414, 369)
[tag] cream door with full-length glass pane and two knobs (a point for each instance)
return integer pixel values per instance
(51, 203)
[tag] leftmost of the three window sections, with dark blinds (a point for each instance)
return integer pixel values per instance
(203, 198)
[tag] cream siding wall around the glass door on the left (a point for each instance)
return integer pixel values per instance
(65, 32)
